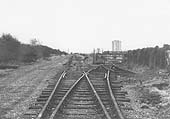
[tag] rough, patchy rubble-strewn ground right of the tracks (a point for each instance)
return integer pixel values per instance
(149, 92)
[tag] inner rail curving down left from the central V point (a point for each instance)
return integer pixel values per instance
(65, 96)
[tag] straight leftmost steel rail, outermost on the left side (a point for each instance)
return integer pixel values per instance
(49, 99)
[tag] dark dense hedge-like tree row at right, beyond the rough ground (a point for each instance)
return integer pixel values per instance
(153, 57)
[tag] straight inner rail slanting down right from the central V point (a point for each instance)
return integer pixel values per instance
(103, 107)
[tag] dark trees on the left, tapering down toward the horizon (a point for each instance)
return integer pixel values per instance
(11, 50)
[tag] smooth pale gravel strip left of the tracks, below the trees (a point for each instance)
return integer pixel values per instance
(19, 88)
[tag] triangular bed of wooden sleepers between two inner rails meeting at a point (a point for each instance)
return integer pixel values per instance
(81, 102)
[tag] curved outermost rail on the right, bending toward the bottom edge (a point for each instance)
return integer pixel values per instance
(113, 97)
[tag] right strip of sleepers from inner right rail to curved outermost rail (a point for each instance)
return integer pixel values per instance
(101, 82)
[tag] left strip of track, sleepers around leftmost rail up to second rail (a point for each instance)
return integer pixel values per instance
(50, 97)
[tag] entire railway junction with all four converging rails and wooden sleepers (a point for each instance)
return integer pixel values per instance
(92, 96)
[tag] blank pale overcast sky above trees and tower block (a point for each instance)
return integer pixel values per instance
(81, 25)
